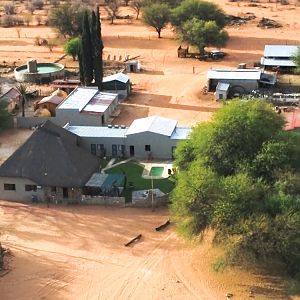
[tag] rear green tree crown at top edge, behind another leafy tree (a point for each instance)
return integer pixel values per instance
(201, 10)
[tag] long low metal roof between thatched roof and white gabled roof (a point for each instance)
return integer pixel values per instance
(98, 132)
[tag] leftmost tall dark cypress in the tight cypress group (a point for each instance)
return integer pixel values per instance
(86, 51)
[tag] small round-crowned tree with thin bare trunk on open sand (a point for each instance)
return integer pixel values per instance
(157, 16)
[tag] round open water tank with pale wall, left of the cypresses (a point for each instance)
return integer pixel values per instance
(46, 72)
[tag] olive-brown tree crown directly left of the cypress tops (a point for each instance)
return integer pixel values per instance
(67, 19)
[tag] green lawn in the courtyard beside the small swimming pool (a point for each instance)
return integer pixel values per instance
(135, 182)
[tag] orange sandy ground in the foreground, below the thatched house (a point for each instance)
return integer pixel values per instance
(78, 253)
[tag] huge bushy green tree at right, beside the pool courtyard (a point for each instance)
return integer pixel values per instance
(239, 174)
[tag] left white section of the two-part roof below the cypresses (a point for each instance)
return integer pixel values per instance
(79, 98)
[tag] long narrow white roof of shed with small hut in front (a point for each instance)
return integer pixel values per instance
(252, 74)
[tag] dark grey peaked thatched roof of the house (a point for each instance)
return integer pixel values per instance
(51, 157)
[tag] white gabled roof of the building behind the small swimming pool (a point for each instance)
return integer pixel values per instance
(153, 124)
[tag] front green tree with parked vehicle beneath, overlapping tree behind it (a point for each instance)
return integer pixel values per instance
(203, 34)
